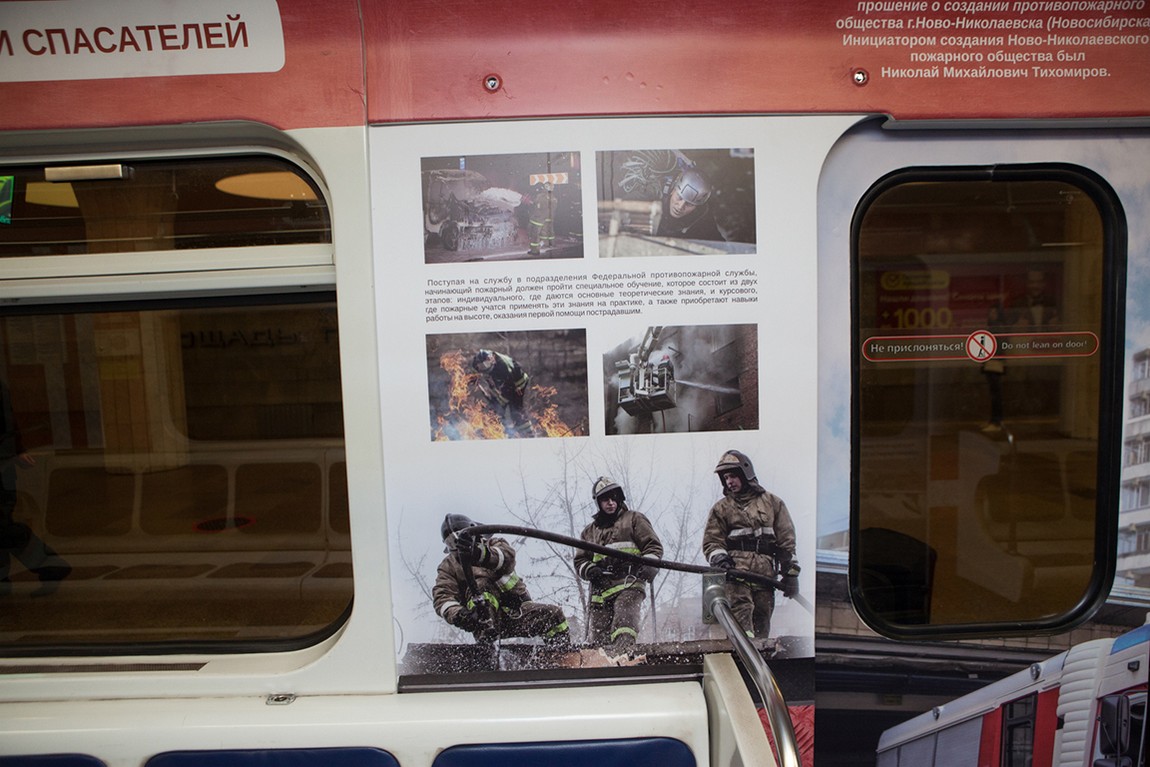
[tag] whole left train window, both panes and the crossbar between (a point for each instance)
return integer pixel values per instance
(173, 470)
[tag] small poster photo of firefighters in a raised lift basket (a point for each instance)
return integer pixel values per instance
(680, 379)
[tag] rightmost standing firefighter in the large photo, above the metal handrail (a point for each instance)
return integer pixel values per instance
(750, 530)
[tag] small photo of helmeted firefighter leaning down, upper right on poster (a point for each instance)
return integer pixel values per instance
(677, 203)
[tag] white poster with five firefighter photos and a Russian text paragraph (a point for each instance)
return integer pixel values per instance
(569, 309)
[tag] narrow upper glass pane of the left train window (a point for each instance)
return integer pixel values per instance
(159, 205)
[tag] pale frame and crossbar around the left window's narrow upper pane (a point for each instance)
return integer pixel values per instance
(96, 278)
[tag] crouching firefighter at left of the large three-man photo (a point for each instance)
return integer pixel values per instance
(477, 589)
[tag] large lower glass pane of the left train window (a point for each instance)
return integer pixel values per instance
(154, 494)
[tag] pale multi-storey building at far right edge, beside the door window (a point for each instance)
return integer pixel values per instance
(1134, 512)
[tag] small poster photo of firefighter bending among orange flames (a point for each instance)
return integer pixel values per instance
(508, 386)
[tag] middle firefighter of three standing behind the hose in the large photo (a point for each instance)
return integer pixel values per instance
(618, 587)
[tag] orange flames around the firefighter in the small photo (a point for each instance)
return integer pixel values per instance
(472, 416)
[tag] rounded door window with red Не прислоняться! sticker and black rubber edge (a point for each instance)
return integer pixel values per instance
(986, 338)
